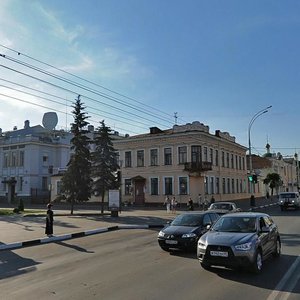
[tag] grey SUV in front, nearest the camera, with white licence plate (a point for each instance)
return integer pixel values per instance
(243, 239)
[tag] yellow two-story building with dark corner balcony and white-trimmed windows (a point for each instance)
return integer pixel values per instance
(184, 161)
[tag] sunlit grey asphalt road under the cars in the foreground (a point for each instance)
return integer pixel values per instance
(128, 264)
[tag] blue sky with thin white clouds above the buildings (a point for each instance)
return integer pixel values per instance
(217, 62)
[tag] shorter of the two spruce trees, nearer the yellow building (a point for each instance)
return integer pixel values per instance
(104, 163)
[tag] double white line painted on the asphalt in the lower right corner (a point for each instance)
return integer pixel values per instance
(278, 291)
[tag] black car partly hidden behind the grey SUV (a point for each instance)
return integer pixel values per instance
(184, 231)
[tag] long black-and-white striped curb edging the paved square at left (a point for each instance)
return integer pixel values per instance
(35, 242)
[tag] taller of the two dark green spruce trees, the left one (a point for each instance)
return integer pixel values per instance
(76, 182)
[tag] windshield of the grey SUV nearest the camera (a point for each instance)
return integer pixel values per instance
(235, 224)
